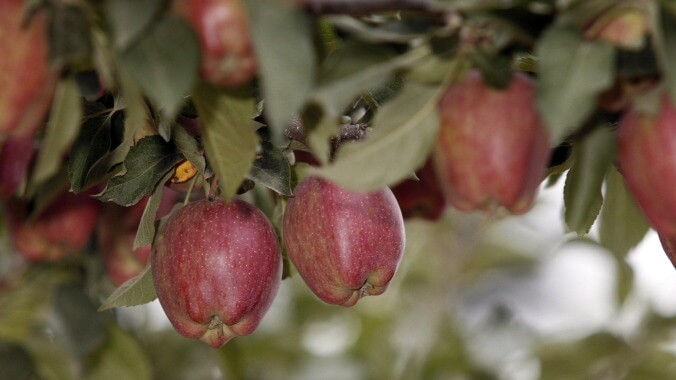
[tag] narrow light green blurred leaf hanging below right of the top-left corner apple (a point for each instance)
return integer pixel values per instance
(62, 129)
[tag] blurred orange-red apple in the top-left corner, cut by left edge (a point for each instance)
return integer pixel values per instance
(26, 81)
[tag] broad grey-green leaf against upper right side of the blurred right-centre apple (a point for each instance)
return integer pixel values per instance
(572, 73)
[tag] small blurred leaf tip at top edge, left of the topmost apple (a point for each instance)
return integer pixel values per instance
(129, 18)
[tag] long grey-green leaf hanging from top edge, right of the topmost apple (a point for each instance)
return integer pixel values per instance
(286, 58)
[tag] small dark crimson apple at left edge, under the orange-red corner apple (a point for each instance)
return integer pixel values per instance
(15, 157)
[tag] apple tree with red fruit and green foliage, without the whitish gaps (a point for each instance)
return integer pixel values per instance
(214, 154)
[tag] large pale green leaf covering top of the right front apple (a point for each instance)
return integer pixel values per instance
(404, 132)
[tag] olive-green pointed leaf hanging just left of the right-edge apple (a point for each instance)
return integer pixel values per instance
(622, 224)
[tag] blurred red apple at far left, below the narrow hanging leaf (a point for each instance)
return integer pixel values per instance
(63, 228)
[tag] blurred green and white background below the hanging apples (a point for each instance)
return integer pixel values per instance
(475, 297)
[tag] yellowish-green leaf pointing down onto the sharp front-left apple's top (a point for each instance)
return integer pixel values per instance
(228, 134)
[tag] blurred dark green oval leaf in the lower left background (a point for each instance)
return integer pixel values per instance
(82, 325)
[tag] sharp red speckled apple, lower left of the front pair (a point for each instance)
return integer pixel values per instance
(217, 267)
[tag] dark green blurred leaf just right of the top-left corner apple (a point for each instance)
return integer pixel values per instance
(69, 37)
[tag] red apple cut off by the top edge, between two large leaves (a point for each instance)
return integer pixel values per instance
(223, 29)
